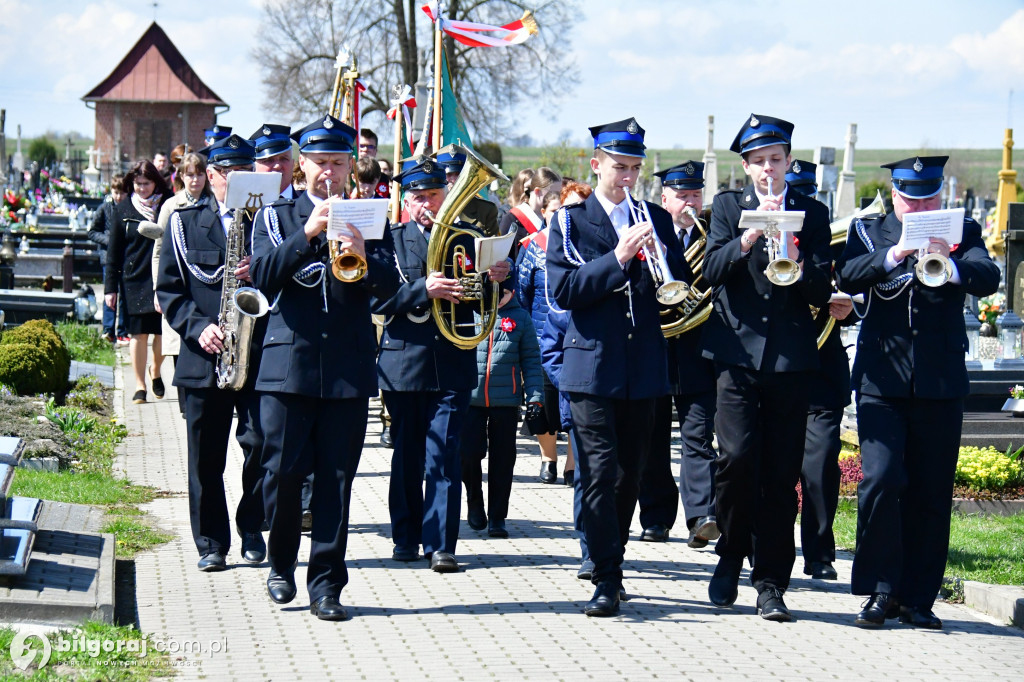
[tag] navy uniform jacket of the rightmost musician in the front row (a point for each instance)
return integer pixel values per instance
(915, 345)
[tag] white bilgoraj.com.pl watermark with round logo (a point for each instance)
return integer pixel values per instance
(28, 649)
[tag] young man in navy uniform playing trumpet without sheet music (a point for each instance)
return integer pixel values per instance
(615, 363)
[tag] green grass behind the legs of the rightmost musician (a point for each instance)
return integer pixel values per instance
(984, 548)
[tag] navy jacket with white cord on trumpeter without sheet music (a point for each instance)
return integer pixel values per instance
(611, 351)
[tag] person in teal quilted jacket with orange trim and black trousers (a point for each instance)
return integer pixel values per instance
(508, 368)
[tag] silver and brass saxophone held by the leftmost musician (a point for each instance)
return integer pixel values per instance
(240, 307)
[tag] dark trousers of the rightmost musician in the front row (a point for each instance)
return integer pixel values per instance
(909, 451)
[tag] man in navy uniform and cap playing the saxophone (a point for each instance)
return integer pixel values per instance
(189, 289)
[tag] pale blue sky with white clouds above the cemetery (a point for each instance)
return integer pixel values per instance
(932, 74)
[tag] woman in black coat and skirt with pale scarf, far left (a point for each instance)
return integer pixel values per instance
(130, 258)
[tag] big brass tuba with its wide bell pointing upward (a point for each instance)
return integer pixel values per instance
(449, 258)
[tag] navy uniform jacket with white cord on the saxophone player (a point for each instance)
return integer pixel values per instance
(192, 306)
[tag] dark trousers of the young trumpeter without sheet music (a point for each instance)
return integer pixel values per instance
(614, 437)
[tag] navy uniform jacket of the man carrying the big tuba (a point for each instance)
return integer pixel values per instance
(414, 356)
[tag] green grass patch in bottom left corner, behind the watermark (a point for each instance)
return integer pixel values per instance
(123, 666)
